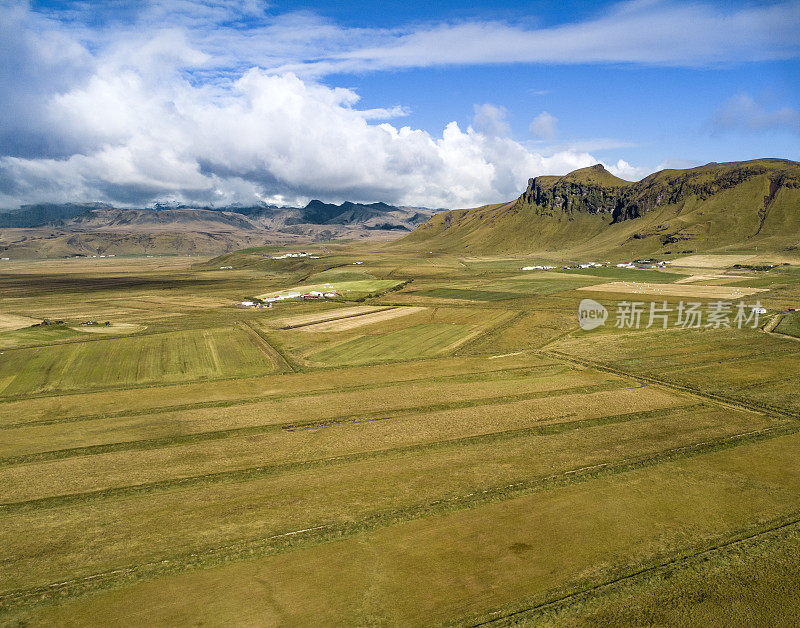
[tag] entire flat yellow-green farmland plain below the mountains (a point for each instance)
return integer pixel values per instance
(478, 459)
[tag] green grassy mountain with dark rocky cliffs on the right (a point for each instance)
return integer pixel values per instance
(591, 213)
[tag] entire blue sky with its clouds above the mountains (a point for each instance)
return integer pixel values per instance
(212, 102)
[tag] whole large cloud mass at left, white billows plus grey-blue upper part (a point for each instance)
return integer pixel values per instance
(131, 124)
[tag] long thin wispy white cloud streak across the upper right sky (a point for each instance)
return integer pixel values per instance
(659, 32)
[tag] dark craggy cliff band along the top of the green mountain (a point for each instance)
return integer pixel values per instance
(596, 191)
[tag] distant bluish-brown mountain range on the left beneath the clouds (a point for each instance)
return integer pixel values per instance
(55, 230)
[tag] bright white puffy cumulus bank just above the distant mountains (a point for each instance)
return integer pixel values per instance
(260, 137)
